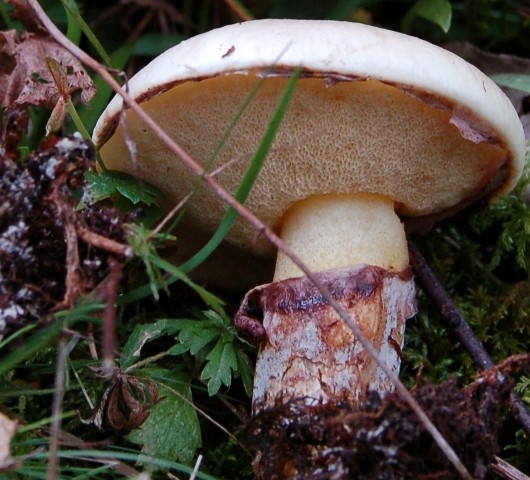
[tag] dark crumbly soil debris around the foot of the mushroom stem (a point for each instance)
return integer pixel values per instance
(383, 439)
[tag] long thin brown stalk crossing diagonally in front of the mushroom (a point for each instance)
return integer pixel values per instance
(227, 197)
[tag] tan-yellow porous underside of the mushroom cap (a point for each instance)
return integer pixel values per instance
(340, 138)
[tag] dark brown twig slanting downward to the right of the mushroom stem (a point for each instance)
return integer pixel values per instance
(455, 321)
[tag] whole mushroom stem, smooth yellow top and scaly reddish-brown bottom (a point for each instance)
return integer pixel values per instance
(358, 245)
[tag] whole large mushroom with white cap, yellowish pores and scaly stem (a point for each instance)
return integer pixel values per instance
(384, 132)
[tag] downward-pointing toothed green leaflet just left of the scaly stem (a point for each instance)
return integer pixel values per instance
(221, 362)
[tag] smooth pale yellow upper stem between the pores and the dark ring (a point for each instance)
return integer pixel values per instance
(335, 231)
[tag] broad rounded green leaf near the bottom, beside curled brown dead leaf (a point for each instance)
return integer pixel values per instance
(172, 430)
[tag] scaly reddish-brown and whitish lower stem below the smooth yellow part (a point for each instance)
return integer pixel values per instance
(308, 352)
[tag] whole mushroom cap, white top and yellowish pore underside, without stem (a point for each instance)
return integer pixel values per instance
(376, 111)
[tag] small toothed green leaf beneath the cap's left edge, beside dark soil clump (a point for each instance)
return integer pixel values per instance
(103, 185)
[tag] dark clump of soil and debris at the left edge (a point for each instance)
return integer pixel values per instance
(46, 258)
